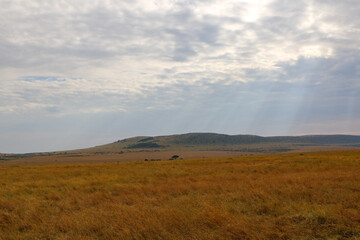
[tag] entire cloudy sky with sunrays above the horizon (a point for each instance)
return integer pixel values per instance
(82, 73)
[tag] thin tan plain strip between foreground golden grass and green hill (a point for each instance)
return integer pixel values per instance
(91, 156)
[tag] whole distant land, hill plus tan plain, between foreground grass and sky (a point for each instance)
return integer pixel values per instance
(191, 145)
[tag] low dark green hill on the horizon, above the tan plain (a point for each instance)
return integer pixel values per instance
(223, 142)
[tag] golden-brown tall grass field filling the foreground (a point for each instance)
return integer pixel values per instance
(287, 196)
